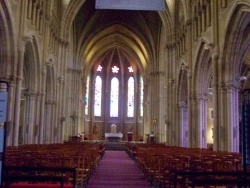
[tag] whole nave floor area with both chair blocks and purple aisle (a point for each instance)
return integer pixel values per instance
(94, 165)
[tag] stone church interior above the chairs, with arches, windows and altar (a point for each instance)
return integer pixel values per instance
(175, 76)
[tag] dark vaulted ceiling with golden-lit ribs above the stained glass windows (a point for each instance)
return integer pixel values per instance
(134, 33)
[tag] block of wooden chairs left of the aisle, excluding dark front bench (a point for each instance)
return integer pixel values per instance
(83, 157)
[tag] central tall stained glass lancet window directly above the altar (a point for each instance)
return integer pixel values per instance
(114, 96)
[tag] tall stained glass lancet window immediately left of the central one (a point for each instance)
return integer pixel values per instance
(98, 96)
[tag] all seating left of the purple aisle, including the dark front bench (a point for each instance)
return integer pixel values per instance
(65, 163)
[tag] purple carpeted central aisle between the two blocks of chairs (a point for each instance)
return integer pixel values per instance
(117, 170)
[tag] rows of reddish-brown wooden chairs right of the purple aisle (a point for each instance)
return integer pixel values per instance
(159, 163)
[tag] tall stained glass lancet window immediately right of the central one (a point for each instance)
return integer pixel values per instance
(131, 91)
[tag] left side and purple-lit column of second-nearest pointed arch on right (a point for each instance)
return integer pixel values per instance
(201, 81)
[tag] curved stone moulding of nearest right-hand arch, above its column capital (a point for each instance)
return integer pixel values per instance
(237, 27)
